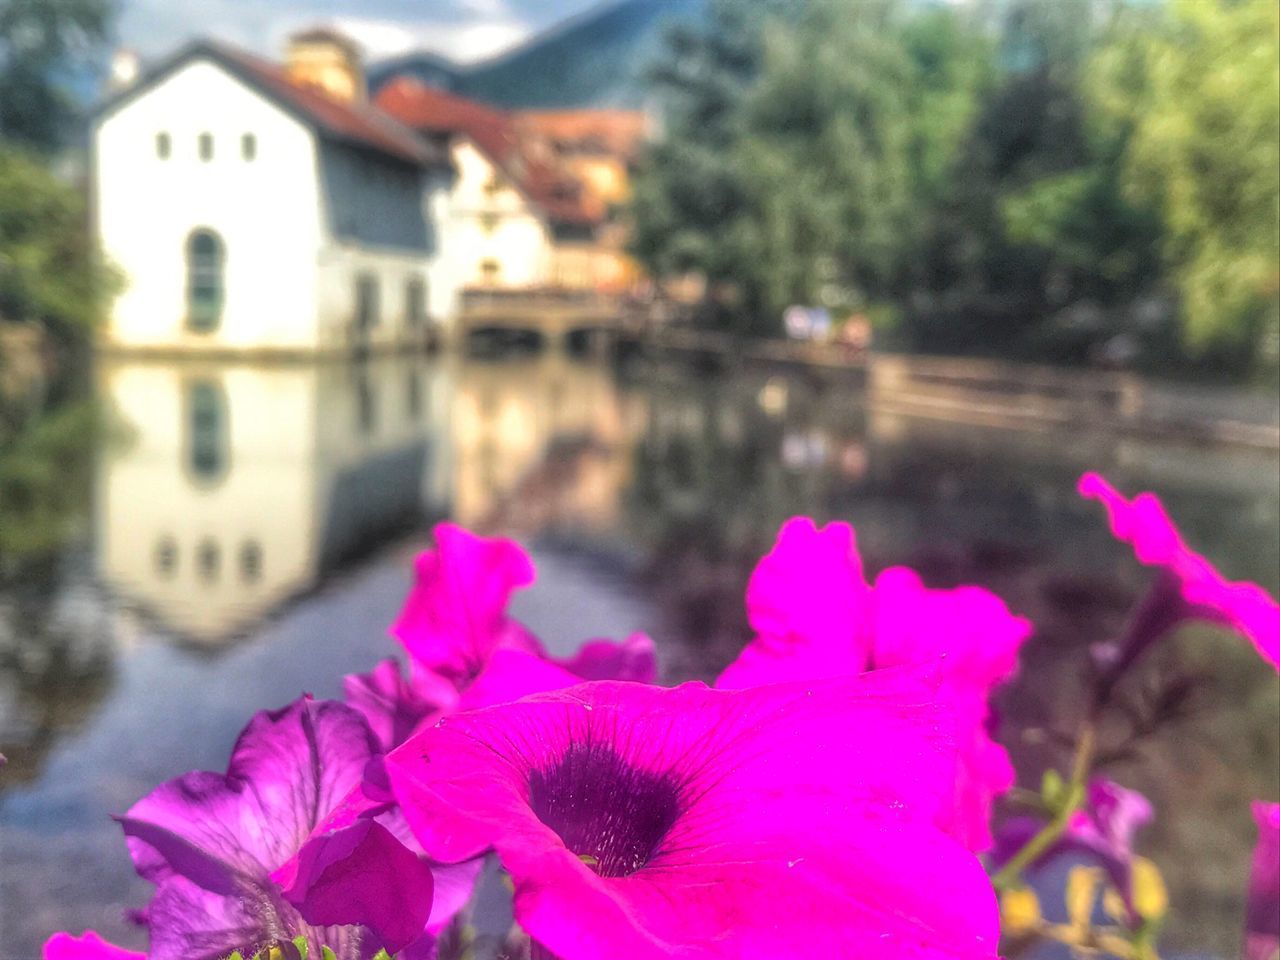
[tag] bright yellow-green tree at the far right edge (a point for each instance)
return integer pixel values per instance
(1206, 153)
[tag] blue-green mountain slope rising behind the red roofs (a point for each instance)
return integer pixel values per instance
(597, 60)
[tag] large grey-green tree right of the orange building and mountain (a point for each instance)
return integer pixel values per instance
(804, 147)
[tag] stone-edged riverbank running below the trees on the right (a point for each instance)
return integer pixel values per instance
(1000, 394)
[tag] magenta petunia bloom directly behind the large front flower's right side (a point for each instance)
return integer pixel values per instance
(815, 616)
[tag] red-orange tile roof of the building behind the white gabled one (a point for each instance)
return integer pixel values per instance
(431, 111)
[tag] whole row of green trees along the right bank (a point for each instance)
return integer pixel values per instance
(1034, 177)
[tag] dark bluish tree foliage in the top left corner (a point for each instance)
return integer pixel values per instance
(43, 43)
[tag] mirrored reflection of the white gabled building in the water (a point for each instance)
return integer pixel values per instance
(237, 486)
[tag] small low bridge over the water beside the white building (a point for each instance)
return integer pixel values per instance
(548, 313)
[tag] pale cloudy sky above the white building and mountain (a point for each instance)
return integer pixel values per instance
(461, 30)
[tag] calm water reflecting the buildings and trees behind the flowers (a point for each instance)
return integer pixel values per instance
(250, 533)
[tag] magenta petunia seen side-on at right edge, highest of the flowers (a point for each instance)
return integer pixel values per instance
(1203, 592)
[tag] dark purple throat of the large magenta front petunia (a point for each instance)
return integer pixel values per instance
(606, 811)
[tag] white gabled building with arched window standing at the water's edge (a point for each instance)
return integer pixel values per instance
(255, 208)
